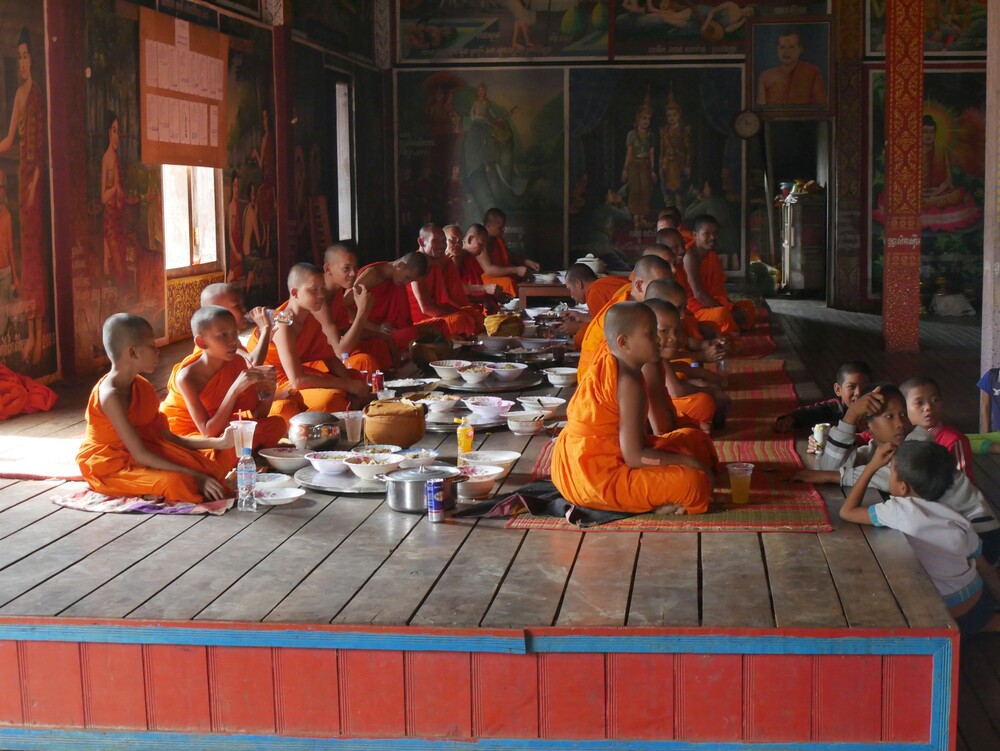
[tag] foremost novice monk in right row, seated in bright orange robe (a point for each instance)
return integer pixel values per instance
(603, 458)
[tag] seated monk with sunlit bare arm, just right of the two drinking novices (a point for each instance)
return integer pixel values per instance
(306, 365)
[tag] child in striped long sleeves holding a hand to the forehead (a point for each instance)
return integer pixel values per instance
(883, 409)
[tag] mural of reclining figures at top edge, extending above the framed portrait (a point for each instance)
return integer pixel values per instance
(692, 29)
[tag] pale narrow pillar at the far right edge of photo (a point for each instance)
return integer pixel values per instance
(990, 351)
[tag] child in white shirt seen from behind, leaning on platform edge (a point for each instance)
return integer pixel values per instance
(944, 542)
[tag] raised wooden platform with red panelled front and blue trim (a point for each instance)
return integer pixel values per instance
(338, 623)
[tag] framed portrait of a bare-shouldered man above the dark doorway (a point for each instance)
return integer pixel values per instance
(791, 67)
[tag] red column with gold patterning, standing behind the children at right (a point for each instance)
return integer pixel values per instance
(904, 86)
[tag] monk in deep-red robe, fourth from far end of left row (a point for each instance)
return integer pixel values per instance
(439, 297)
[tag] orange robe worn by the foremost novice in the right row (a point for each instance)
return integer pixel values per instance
(588, 467)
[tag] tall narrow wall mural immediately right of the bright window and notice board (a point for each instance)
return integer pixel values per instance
(249, 180)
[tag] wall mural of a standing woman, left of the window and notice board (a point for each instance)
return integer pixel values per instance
(124, 262)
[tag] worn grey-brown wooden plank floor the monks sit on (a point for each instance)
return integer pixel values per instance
(351, 560)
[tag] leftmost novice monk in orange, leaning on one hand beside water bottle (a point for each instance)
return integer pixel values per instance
(128, 448)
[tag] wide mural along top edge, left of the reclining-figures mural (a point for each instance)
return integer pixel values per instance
(439, 30)
